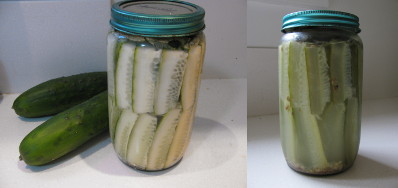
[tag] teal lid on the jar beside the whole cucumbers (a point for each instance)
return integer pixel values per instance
(157, 18)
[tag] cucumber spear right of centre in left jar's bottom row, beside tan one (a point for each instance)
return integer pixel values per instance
(163, 137)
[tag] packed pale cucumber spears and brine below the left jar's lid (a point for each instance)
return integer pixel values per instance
(153, 89)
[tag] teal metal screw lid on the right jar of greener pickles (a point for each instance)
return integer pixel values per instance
(321, 18)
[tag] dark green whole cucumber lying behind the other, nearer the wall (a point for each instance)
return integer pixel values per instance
(59, 94)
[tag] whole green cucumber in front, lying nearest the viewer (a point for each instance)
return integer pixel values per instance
(66, 131)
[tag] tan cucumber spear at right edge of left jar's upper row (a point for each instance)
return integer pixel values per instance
(190, 82)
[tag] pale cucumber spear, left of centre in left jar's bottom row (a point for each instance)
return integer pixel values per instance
(141, 140)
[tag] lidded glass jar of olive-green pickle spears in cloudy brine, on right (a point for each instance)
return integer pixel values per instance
(320, 90)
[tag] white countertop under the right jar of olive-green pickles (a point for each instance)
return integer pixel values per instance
(376, 165)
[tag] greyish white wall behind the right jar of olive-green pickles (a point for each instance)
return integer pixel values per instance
(379, 26)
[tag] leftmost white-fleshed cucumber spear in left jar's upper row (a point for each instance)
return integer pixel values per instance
(124, 76)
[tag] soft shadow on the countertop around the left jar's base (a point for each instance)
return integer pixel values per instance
(107, 162)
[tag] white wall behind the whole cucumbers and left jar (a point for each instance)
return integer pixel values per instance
(43, 39)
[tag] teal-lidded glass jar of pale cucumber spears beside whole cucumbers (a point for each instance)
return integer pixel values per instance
(155, 56)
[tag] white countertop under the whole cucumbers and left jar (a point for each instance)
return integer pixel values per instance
(216, 156)
